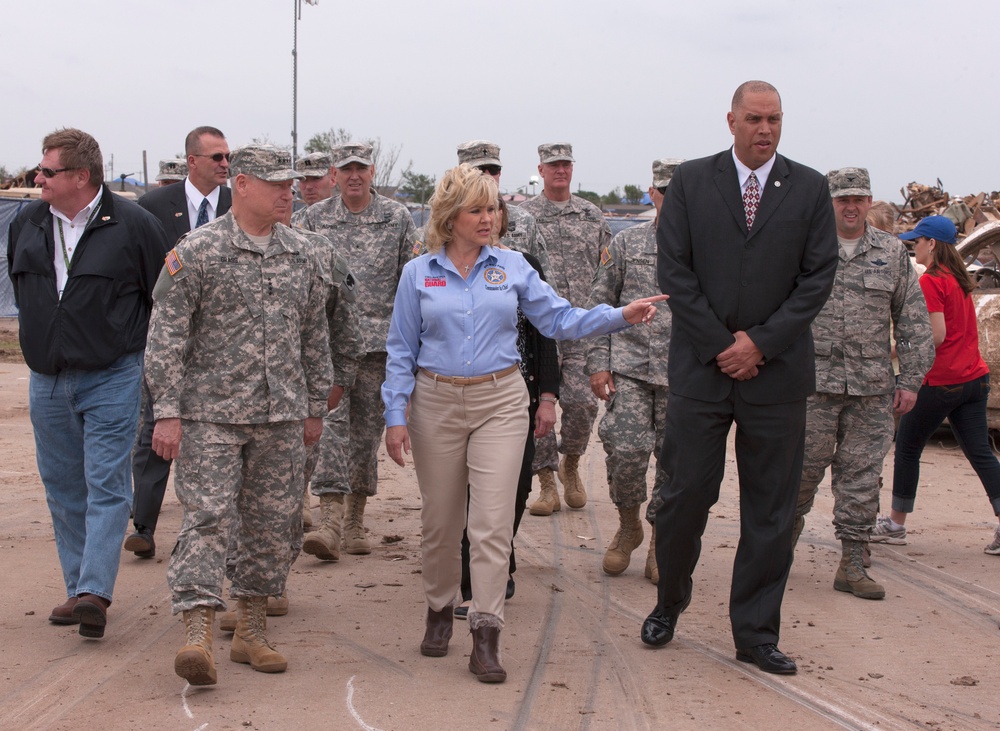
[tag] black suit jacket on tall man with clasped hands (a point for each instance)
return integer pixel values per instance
(770, 281)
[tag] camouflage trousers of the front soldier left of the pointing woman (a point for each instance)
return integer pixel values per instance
(256, 469)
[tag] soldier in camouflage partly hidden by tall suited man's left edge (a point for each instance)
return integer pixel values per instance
(628, 370)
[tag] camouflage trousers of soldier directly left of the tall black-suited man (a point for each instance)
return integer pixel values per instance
(630, 430)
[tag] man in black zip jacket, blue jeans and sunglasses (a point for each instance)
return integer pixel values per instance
(83, 263)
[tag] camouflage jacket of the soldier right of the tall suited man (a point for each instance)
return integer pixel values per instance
(875, 287)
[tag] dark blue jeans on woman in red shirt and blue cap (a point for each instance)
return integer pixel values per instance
(964, 404)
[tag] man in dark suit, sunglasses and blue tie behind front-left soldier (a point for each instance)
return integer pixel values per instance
(202, 197)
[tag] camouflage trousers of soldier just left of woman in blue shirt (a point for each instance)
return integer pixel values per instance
(348, 449)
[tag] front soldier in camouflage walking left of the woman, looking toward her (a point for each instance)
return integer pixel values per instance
(238, 362)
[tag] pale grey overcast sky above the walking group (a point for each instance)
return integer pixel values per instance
(907, 89)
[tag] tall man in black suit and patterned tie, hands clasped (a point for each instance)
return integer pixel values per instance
(747, 251)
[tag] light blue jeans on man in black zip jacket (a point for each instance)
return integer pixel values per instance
(85, 424)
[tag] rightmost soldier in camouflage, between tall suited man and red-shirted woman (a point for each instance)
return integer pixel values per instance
(849, 418)
